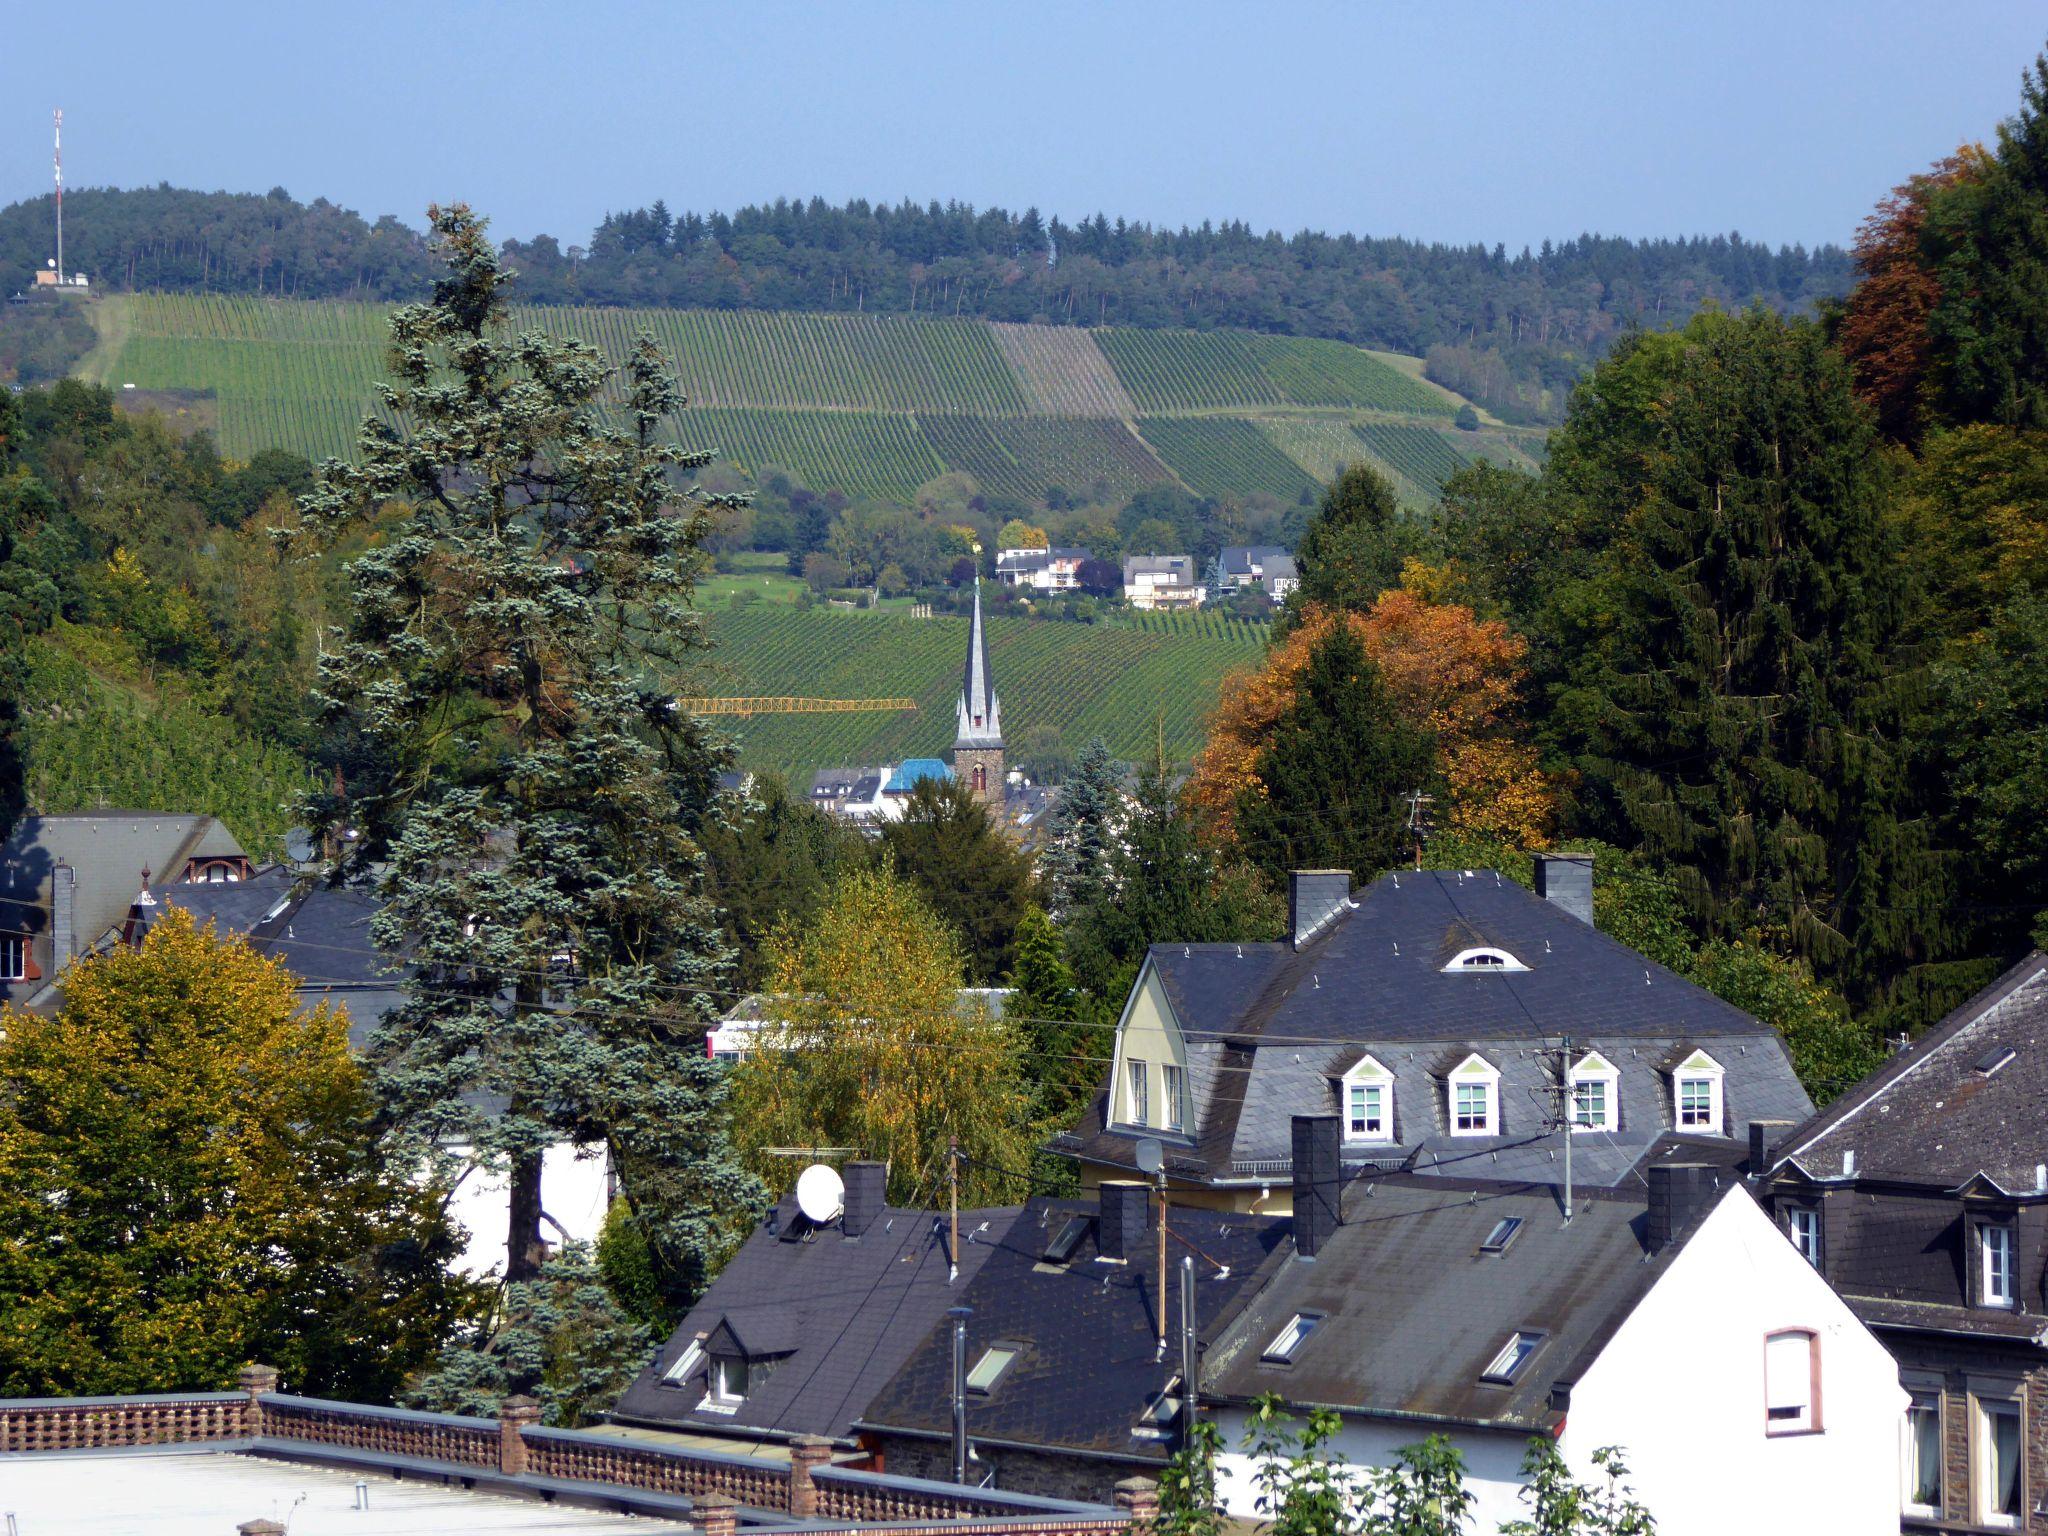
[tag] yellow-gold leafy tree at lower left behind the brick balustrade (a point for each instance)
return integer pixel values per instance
(189, 1181)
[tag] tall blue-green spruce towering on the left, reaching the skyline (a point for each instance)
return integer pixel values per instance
(523, 790)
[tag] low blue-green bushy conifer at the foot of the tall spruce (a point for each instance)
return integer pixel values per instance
(560, 1336)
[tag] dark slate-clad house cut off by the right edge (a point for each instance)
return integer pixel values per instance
(1922, 1197)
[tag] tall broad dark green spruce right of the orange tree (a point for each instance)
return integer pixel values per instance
(1738, 710)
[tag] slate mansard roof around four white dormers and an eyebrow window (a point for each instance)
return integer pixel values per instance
(1273, 1029)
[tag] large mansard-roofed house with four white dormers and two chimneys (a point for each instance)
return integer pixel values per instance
(1453, 1019)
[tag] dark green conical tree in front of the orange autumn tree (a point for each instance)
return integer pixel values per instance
(1330, 777)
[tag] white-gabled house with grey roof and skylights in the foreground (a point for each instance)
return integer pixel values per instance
(1691, 1334)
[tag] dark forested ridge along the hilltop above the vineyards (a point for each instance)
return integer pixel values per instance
(1510, 331)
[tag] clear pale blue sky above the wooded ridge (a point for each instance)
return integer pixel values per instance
(1455, 122)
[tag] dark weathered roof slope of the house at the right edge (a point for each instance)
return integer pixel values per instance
(1932, 1115)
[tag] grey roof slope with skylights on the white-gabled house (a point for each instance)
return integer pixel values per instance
(1414, 1312)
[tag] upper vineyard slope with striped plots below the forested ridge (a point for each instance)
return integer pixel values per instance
(865, 404)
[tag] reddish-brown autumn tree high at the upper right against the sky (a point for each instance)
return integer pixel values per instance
(1885, 321)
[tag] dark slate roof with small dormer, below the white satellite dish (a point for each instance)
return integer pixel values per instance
(839, 1316)
